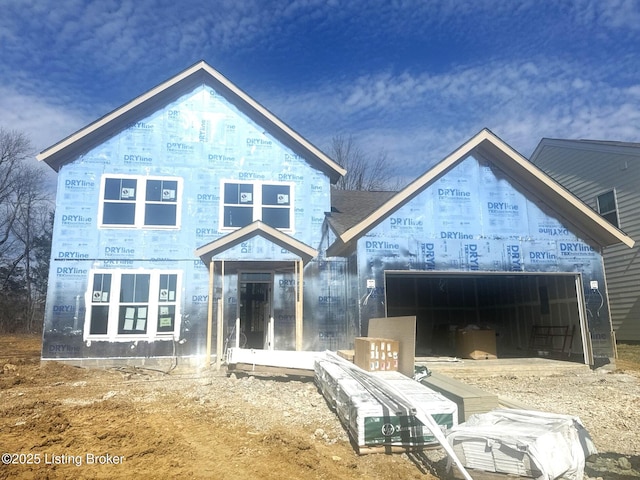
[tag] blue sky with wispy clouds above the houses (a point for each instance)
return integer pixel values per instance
(414, 79)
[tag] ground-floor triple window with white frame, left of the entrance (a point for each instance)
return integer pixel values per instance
(124, 305)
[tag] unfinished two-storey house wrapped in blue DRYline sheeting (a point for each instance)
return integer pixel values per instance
(192, 209)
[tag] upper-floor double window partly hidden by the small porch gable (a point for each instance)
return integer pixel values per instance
(244, 203)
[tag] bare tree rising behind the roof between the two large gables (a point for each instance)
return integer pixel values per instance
(363, 172)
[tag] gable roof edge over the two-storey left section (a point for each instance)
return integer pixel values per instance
(201, 73)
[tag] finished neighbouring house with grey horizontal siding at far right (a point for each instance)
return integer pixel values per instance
(606, 176)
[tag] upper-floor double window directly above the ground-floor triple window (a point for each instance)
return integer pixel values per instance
(140, 202)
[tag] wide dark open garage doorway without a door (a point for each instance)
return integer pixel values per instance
(531, 314)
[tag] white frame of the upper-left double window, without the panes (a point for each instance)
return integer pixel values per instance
(140, 201)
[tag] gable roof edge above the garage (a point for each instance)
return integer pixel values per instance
(547, 190)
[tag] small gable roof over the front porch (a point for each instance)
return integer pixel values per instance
(257, 228)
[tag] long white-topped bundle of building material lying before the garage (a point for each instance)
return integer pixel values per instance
(378, 409)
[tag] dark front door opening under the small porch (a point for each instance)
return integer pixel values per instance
(254, 309)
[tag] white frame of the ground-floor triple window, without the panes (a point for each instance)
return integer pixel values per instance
(154, 310)
